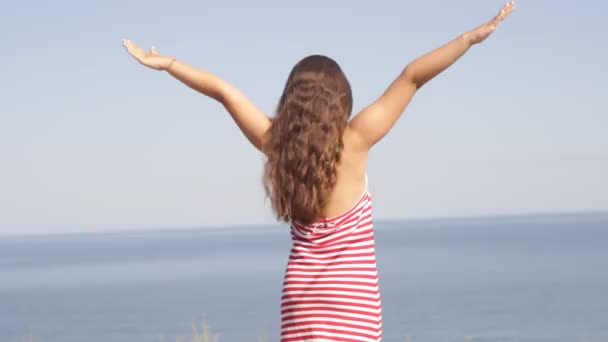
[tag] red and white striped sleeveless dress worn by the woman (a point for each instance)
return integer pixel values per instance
(330, 288)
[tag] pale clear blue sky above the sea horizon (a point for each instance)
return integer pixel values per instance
(90, 140)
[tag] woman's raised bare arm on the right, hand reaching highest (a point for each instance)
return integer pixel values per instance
(376, 120)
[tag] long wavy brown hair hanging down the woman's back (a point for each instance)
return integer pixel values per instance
(305, 142)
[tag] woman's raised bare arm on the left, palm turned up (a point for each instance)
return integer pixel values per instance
(252, 122)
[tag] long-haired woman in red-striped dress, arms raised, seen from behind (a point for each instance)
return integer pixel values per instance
(315, 178)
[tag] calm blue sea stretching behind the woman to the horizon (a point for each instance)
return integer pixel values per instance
(538, 278)
